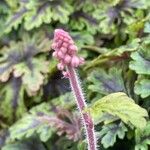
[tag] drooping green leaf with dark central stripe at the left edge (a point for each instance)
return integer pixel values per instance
(12, 105)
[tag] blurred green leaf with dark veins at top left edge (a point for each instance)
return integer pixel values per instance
(35, 13)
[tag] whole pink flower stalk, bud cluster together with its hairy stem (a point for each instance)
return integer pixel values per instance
(65, 52)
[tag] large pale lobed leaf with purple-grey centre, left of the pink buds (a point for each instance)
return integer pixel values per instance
(19, 58)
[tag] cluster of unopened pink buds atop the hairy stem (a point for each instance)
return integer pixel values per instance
(65, 50)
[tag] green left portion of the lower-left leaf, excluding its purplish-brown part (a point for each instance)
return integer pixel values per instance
(31, 125)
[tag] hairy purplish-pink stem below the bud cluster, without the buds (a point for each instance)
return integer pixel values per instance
(80, 100)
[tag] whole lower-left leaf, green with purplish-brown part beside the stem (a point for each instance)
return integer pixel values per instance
(44, 120)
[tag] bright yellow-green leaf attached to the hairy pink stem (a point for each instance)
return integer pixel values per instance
(120, 105)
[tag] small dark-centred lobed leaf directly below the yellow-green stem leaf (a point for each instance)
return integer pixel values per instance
(110, 132)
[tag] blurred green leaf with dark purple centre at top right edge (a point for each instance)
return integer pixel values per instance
(112, 14)
